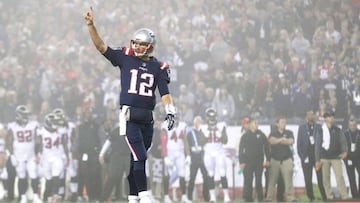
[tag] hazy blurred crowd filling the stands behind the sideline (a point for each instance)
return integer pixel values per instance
(256, 58)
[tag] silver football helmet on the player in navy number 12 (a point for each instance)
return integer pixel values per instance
(143, 42)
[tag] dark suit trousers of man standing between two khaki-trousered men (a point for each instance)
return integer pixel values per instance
(307, 170)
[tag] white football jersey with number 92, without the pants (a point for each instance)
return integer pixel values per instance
(24, 139)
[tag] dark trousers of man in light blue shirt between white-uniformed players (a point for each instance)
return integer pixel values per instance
(197, 163)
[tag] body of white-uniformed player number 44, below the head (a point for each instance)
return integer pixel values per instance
(175, 159)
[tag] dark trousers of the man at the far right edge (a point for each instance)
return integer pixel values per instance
(350, 169)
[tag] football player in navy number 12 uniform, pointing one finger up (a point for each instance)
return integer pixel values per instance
(141, 74)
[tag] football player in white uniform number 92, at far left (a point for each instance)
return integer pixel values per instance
(21, 145)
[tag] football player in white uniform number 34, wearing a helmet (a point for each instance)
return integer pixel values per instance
(51, 144)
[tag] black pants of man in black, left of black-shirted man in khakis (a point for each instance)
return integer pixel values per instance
(250, 170)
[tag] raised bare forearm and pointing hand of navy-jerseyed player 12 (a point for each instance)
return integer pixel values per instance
(95, 37)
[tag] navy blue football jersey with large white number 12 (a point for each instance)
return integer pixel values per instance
(139, 78)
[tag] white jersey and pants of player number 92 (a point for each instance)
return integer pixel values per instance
(24, 159)
